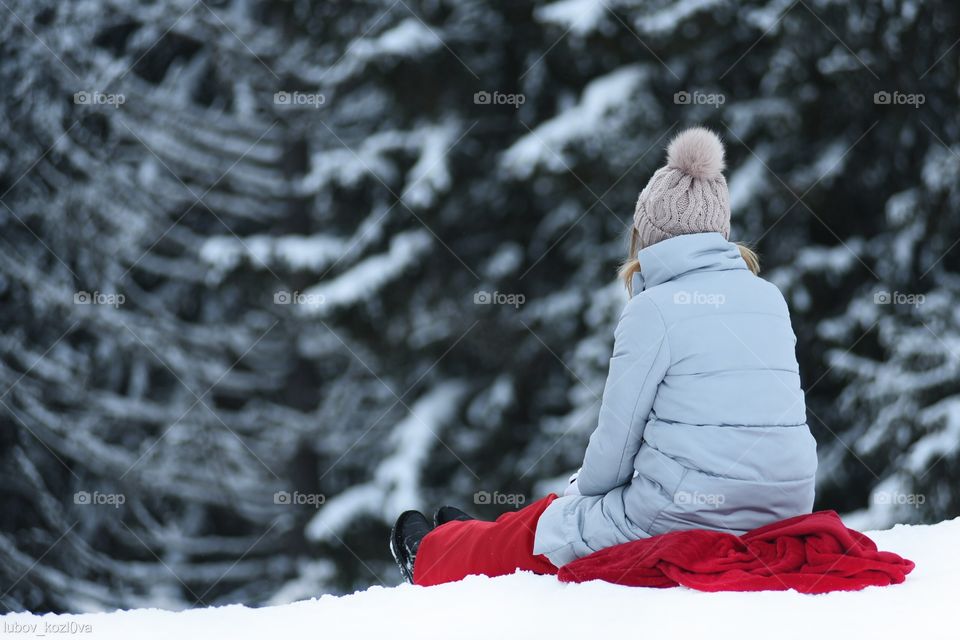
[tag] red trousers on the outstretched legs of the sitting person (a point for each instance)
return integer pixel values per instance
(475, 547)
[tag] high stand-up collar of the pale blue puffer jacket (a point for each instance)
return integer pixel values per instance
(681, 255)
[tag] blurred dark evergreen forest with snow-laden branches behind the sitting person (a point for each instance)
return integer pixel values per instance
(273, 271)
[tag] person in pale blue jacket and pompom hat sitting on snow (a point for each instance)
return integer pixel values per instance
(702, 423)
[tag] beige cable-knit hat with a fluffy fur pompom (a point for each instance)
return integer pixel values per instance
(689, 195)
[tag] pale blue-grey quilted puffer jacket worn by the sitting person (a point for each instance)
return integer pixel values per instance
(703, 422)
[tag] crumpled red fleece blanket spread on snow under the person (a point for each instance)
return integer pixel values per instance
(813, 553)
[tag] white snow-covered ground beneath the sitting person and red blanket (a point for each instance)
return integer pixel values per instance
(529, 606)
